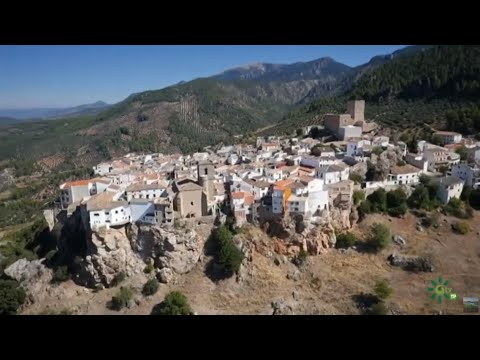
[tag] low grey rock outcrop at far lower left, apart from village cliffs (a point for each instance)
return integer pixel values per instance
(33, 276)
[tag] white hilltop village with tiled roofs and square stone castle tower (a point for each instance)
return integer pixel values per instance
(275, 177)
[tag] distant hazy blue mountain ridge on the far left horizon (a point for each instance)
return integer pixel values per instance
(32, 114)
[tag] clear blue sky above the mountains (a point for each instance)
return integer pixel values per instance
(62, 76)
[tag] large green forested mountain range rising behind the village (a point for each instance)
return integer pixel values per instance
(206, 111)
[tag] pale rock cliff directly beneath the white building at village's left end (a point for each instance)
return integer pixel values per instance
(112, 254)
